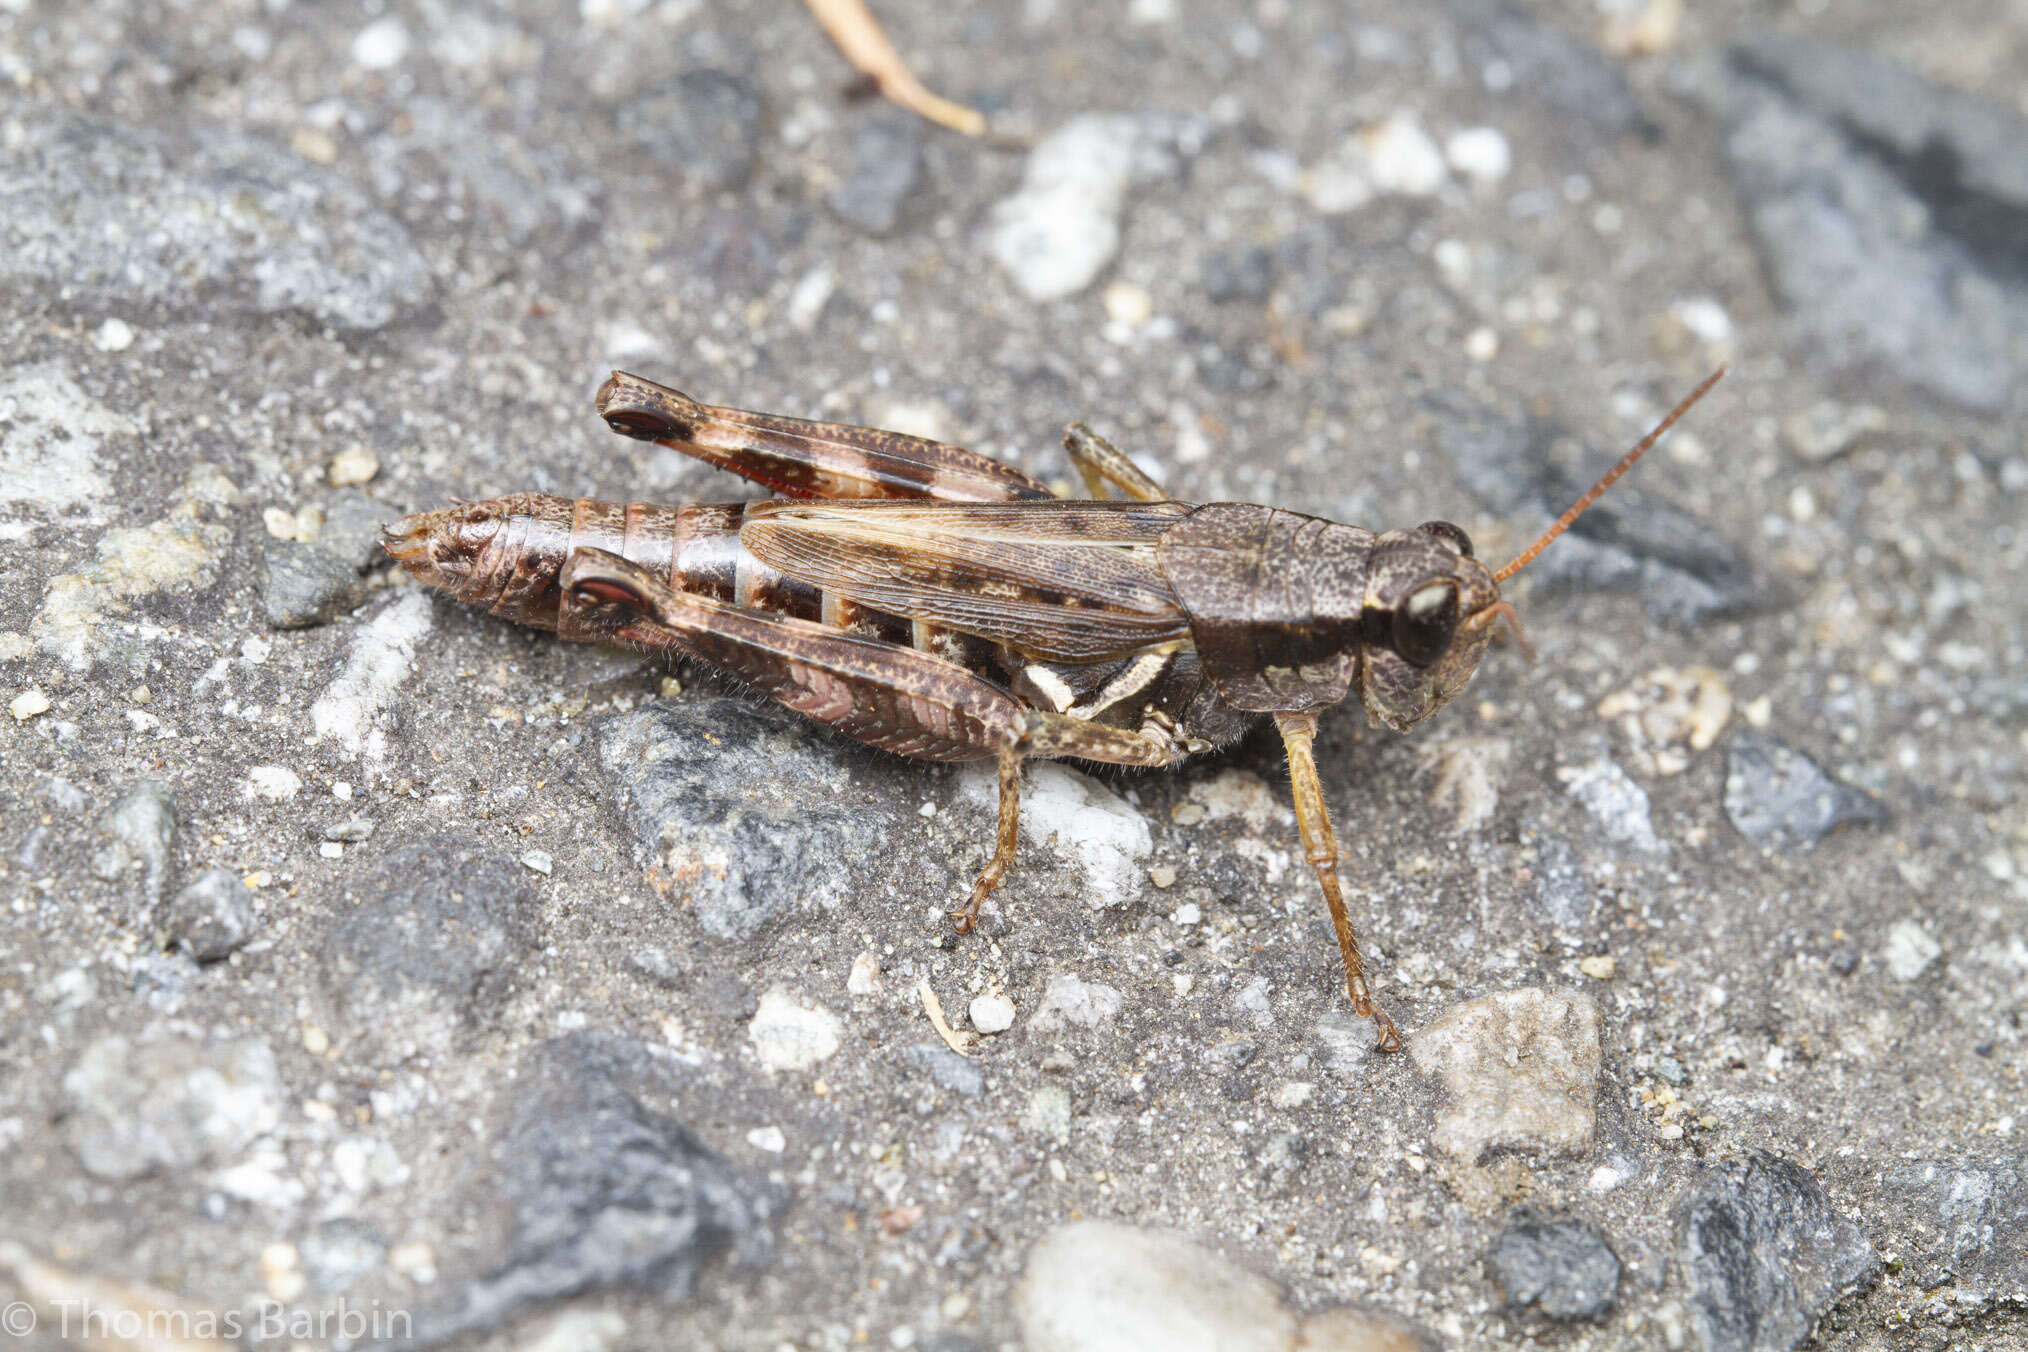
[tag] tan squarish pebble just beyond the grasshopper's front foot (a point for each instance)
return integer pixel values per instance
(1522, 1069)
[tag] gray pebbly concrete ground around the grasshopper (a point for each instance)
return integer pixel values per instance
(366, 954)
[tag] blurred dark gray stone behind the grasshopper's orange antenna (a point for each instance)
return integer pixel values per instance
(1684, 571)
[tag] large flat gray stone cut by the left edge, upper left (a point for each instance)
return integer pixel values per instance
(230, 222)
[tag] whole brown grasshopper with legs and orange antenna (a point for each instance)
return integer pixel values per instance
(936, 603)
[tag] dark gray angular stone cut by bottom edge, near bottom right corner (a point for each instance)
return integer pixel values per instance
(1765, 1256)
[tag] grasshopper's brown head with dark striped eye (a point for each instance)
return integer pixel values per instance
(1427, 623)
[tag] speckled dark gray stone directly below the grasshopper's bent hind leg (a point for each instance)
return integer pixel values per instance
(741, 810)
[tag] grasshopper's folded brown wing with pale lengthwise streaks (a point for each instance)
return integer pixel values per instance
(1070, 583)
